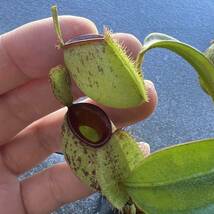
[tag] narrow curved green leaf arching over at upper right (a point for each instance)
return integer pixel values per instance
(197, 59)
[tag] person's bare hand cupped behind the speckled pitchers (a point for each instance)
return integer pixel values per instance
(29, 133)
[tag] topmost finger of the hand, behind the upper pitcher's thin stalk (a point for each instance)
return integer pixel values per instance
(29, 52)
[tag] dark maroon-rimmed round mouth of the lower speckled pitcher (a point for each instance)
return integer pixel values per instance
(90, 124)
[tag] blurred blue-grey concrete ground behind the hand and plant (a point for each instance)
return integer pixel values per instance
(184, 112)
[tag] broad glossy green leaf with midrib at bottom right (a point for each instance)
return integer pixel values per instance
(176, 180)
